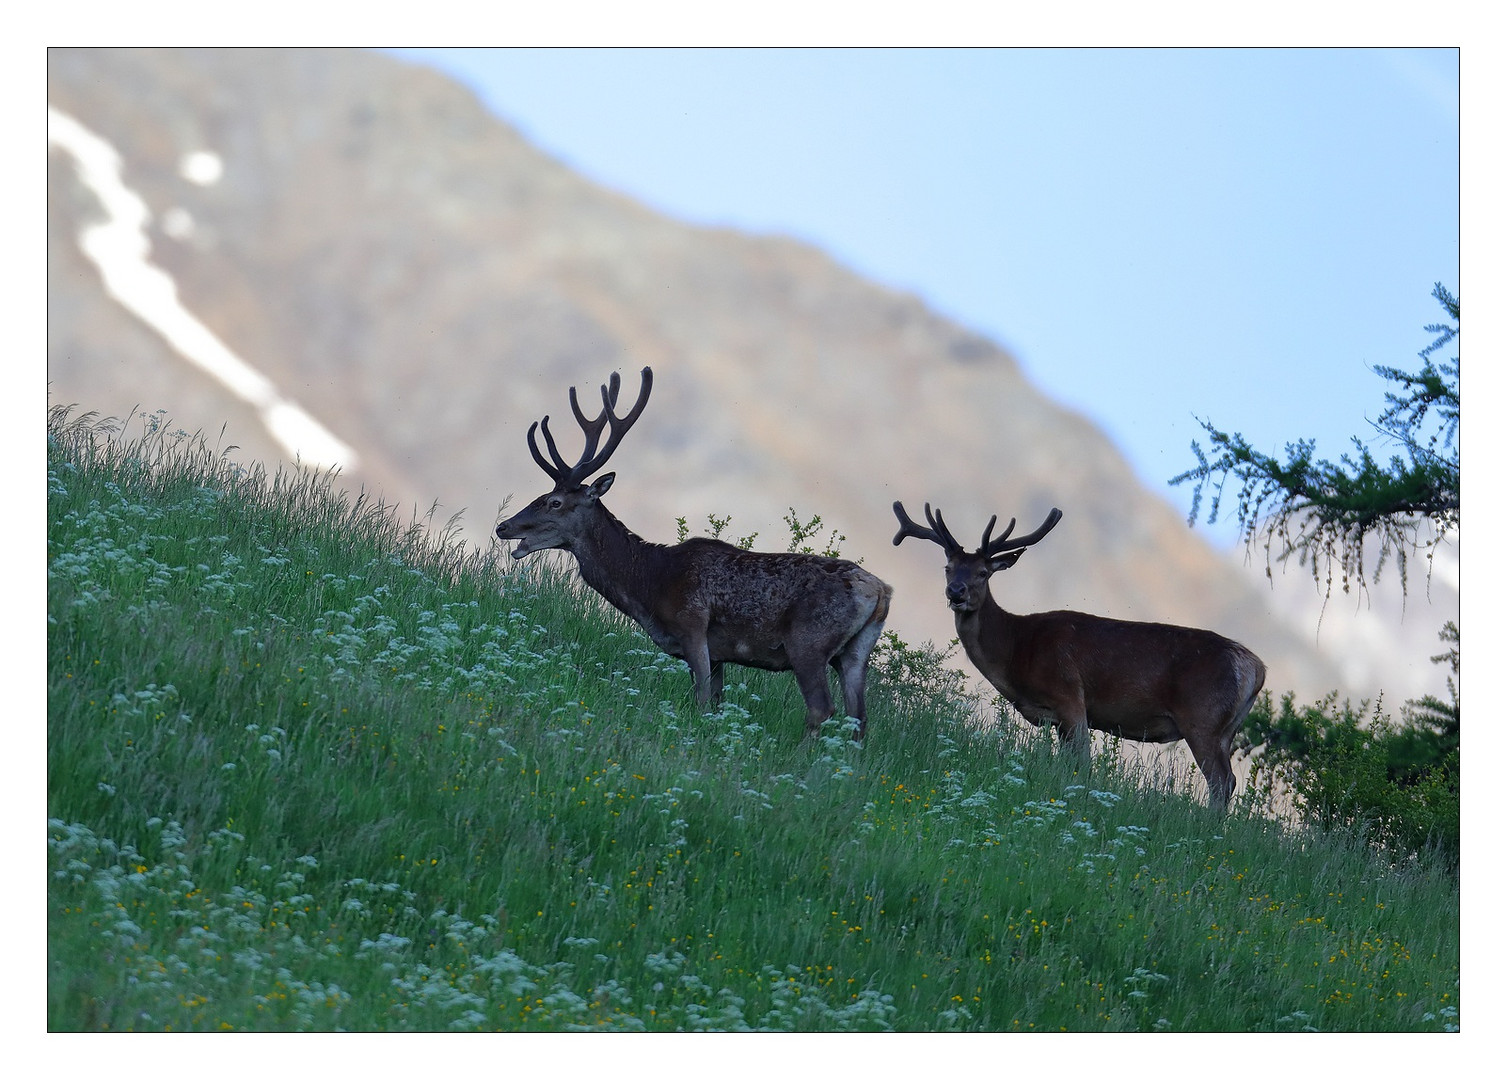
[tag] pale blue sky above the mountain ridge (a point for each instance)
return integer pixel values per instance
(1155, 234)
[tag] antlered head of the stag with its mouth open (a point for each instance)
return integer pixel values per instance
(558, 517)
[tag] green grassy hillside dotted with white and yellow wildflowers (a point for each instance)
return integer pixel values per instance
(311, 769)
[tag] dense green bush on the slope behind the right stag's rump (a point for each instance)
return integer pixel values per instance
(1398, 784)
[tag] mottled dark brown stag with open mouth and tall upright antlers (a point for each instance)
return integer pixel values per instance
(706, 602)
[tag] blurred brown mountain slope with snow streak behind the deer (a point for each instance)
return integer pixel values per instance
(426, 284)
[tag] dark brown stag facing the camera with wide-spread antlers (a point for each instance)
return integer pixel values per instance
(1145, 682)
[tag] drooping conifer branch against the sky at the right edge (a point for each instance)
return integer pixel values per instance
(1324, 513)
